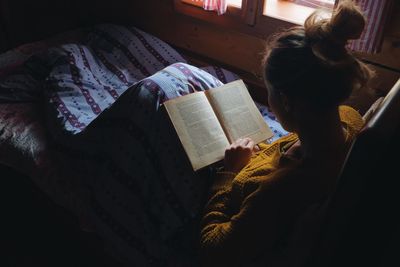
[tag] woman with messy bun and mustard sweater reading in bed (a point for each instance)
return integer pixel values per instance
(256, 199)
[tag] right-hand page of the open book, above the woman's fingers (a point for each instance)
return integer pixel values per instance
(237, 112)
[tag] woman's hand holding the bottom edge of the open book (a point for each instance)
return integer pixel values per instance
(238, 154)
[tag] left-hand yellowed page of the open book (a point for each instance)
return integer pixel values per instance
(198, 129)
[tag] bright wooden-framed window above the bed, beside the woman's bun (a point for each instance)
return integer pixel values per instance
(257, 17)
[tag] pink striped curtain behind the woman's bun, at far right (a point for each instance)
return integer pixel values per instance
(377, 12)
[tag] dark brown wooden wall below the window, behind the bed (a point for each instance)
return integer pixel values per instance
(202, 41)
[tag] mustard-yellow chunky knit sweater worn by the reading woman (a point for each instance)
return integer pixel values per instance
(250, 212)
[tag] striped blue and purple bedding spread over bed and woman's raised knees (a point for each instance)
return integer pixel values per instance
(82, 119)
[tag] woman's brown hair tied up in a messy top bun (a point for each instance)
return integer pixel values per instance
(312, 62)
